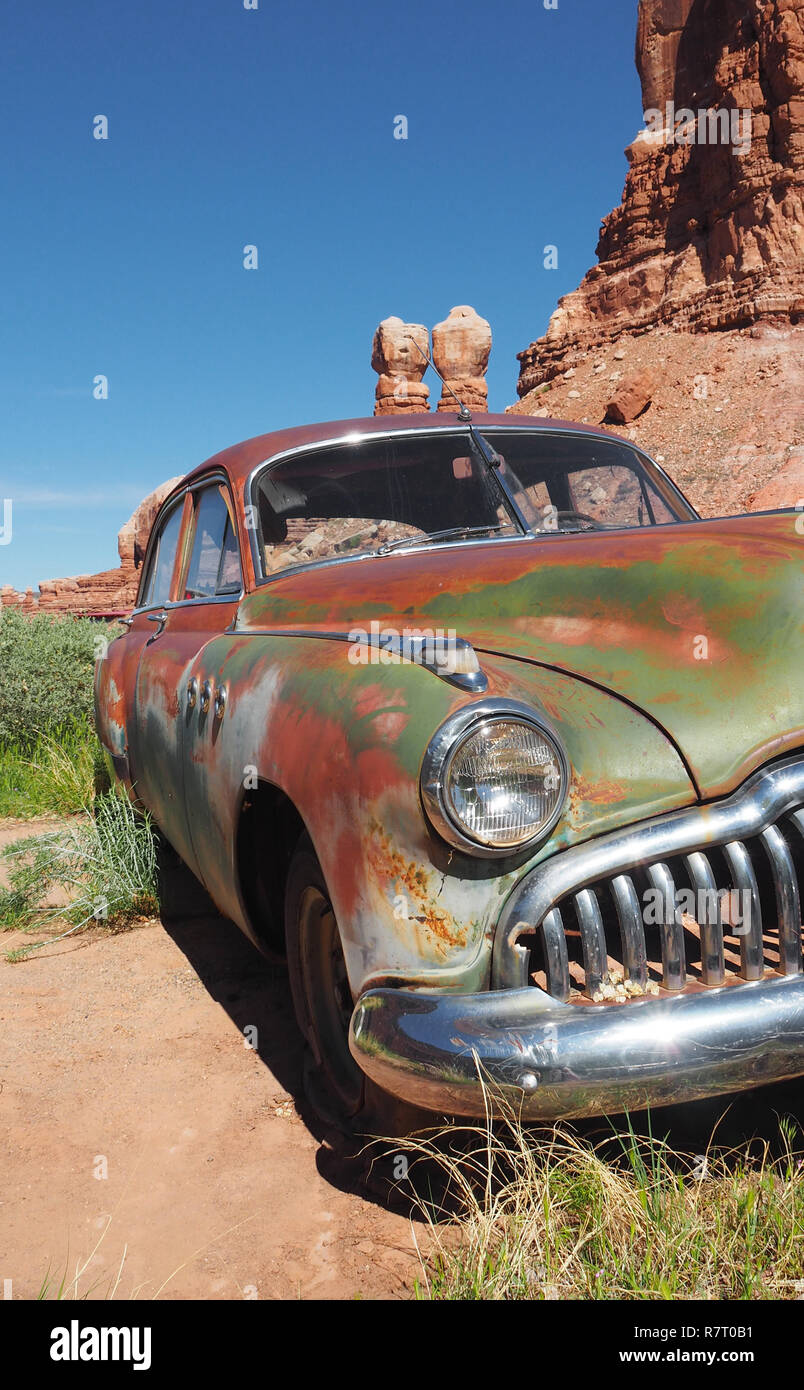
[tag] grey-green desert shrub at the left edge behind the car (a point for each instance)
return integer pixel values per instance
(47, 668)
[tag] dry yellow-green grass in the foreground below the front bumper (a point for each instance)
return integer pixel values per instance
(550, 1216)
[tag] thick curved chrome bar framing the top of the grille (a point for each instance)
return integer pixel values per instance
(767, 796)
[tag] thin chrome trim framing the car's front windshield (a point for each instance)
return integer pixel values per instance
(424, 432)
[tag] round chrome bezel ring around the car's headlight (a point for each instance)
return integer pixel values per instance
(440, 757)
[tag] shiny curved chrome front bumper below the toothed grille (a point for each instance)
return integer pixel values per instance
(557, 1060)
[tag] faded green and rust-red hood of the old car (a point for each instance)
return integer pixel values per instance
(699, 626)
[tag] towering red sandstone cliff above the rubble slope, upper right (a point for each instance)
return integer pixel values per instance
(709, 236)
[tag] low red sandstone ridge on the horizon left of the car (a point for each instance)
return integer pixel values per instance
(111, 593)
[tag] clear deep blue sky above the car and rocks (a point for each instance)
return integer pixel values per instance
(272, 127)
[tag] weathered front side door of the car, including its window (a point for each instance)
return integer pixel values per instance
(202, 601)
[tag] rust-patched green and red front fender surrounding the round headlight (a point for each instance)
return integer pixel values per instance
(346, 743)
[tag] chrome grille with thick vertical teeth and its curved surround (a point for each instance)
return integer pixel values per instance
(579, 926)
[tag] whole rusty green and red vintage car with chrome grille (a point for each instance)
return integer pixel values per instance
(500, 742)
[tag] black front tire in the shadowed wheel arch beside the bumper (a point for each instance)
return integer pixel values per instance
(335, 1085)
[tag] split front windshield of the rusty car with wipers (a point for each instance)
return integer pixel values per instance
(380, 494)
